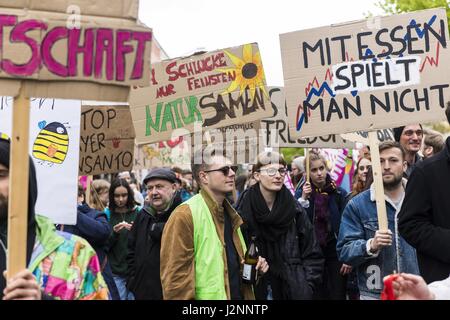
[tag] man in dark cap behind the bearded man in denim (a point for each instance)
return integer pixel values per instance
(410, 137)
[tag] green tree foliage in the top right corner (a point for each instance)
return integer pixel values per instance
(400, 6)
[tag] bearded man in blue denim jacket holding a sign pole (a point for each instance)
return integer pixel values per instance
(377, 253)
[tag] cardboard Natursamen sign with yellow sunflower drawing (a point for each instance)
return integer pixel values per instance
(216, 89)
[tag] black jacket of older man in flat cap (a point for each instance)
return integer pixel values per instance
(144, 246)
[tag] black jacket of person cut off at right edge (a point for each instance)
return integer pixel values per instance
(424, 220)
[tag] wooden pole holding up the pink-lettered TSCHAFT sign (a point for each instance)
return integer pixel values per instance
(18, 186)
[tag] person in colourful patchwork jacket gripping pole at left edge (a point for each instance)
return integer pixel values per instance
(59, 265)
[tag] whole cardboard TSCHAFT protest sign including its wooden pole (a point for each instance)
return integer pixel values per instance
(40, 51)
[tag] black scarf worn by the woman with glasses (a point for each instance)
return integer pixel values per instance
(269, 227)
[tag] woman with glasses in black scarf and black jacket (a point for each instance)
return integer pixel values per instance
(283, 233)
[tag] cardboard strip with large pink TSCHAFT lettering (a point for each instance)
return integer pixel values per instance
(35, 48)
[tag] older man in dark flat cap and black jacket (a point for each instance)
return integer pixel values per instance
(144, 241)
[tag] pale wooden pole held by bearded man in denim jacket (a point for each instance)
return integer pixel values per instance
(378, 180)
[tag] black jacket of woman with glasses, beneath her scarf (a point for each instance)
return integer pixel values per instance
(302, 255)
